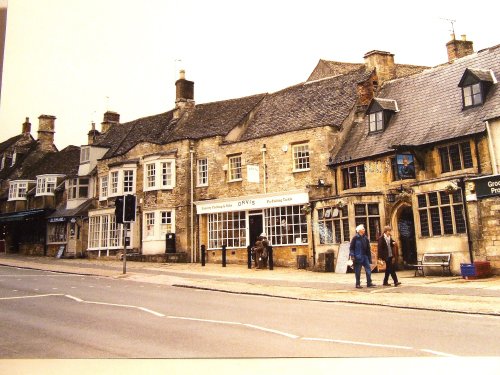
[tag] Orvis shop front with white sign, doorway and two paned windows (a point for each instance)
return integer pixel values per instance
(237, 222)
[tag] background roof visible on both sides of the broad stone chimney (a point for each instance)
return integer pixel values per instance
(326, 68)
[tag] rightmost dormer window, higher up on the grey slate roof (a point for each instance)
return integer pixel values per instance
(475, 86)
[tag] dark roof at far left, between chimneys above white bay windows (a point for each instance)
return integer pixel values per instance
(64, 162)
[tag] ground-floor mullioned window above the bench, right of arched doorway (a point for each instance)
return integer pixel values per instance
(441, 213)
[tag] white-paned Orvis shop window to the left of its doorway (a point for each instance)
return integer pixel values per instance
(227, 228)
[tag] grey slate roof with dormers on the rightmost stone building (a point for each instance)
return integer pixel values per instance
(430, 109)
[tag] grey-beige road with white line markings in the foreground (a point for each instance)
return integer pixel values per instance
(52, 315)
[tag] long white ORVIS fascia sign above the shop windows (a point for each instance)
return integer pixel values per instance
(251, 202)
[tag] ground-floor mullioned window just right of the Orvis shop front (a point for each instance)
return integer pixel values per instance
(333, 225)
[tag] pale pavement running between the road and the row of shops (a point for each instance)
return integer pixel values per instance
(436, 293)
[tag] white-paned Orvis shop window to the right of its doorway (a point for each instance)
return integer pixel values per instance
(286, 225)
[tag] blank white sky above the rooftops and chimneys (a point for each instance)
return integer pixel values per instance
(75, 59)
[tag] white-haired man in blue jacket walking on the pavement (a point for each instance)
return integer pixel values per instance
(360, 253)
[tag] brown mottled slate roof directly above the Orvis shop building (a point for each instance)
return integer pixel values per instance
(326, 102)
